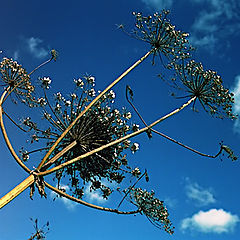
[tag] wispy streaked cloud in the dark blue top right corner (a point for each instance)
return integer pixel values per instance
(217, 20)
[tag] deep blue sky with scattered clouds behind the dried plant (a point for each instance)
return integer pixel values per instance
(201, 194)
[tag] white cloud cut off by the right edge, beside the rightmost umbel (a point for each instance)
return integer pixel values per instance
(236, 106)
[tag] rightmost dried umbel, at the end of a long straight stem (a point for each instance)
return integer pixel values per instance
(207, 87)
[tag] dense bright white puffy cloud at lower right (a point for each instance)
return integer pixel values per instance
(214, 220)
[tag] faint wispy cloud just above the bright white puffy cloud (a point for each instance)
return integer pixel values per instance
(198, 194)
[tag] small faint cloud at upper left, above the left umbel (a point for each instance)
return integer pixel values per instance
(35, 49)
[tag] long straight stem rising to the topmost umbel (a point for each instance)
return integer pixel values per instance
(90, 105)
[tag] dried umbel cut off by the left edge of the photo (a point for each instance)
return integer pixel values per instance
(17, 79)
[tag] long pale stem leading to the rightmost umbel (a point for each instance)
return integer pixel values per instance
(117, 141)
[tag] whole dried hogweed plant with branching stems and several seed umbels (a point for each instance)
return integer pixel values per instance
(84, 139)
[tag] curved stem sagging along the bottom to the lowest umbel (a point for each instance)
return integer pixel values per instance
(63, 194)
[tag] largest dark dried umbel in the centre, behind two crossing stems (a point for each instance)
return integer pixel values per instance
(97, 127)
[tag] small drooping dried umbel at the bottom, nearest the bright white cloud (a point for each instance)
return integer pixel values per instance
(152, 208)
